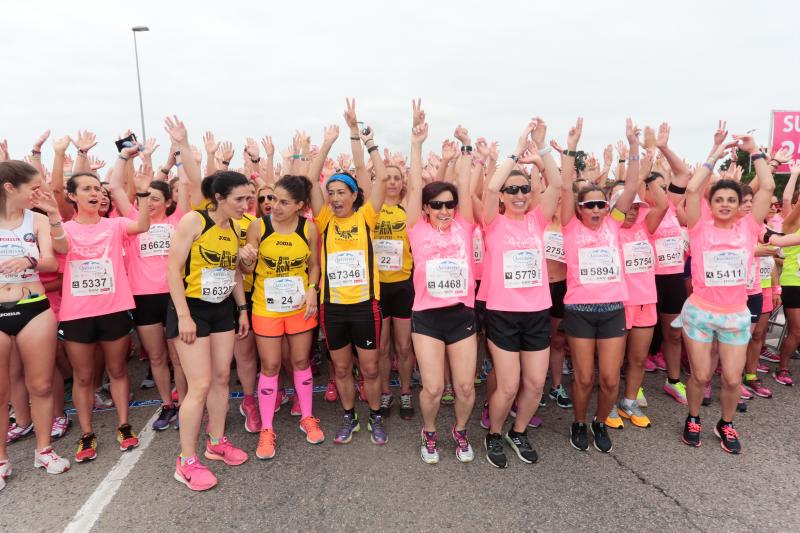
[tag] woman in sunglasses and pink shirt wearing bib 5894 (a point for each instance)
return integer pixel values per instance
(594, 315)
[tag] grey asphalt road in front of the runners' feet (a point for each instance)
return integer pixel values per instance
(650, 482)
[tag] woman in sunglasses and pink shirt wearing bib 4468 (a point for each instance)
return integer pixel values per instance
(440, 229)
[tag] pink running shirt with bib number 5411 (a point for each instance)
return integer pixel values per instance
(721, 259)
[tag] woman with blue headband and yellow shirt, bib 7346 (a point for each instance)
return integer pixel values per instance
(350, 313)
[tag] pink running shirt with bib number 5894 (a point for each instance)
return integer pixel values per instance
(594, 267)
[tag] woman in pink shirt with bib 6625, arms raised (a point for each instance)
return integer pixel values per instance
(146, 264)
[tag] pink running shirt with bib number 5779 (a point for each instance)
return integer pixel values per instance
(518, 272)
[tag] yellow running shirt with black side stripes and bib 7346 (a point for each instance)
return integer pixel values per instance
(349, 269)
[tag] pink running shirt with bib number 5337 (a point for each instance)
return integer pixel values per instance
(95, 281)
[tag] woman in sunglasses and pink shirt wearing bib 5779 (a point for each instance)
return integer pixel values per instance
(518, 299)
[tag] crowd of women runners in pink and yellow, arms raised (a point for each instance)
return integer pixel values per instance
(536, 261)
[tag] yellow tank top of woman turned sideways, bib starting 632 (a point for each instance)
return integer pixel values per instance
(209, 271)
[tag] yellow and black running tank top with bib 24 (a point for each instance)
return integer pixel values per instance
(281, 274)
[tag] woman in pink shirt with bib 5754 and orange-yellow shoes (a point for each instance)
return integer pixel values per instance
(638, 260)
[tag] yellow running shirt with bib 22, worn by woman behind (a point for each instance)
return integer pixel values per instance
(392, 249)
